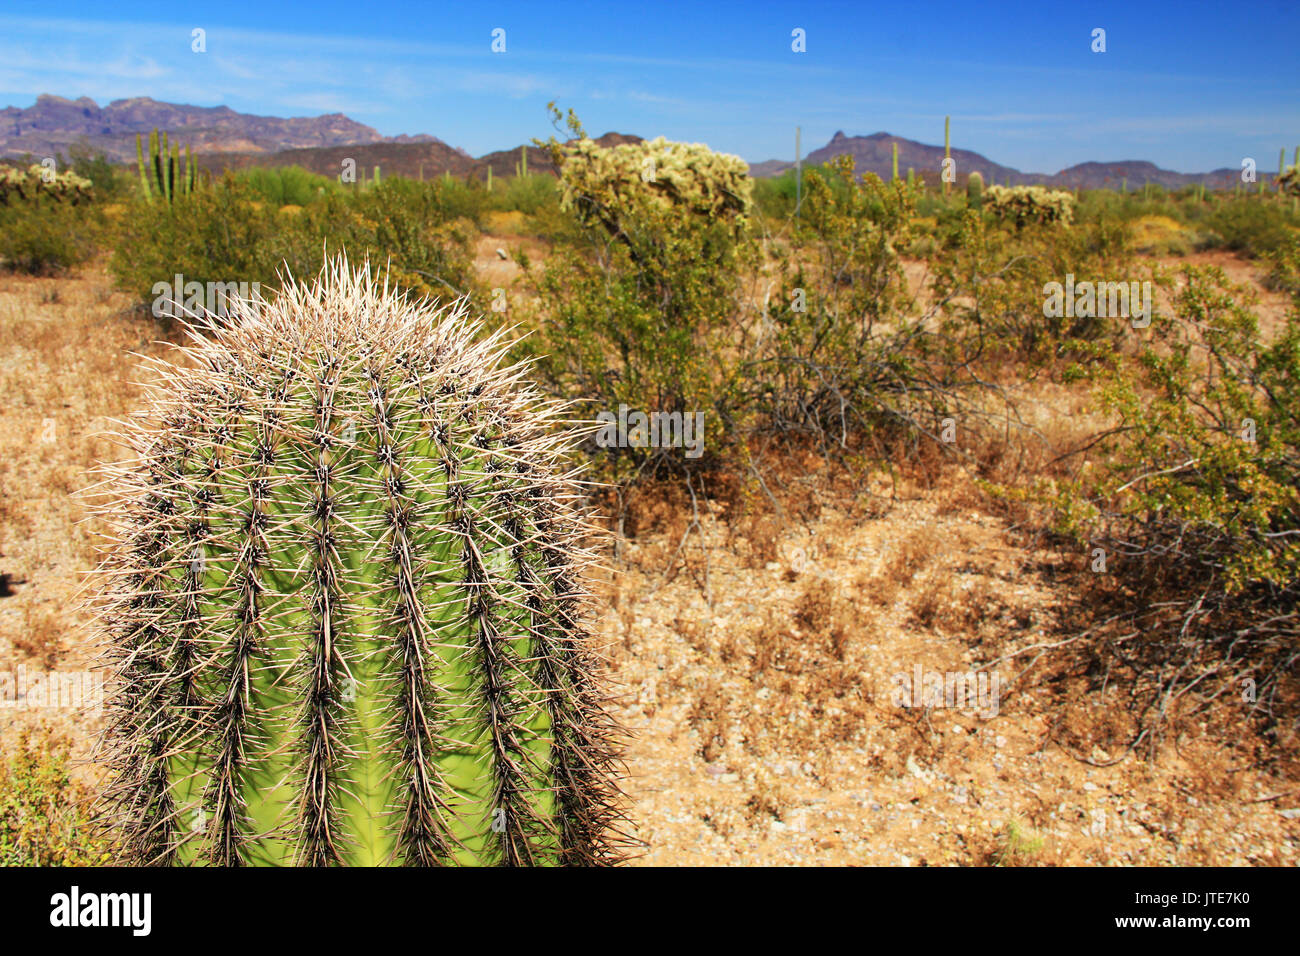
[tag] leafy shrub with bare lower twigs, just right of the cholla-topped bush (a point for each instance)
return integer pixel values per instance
(831, 353)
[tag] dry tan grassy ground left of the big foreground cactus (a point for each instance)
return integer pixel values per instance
(66, 371)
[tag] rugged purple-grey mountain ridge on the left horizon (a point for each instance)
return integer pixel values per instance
(54, 124)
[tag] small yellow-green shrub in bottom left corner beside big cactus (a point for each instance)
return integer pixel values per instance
(45, 815)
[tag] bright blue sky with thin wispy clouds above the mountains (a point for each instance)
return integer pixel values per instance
(1191, 86)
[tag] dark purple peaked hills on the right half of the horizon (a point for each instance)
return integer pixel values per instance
(876, 154)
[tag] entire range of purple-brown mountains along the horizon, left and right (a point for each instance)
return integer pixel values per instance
(224, 139)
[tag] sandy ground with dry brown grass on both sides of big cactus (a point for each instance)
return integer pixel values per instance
(755, 638)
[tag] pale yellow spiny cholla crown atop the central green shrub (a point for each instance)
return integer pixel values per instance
(618, 184)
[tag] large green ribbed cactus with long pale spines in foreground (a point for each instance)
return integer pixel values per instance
(345, 600)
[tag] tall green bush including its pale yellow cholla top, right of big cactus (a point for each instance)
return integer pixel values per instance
(636, 305)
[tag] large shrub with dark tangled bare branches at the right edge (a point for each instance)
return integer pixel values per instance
(1199, 513)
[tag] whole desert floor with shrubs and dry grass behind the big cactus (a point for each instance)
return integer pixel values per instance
(908, 458)
